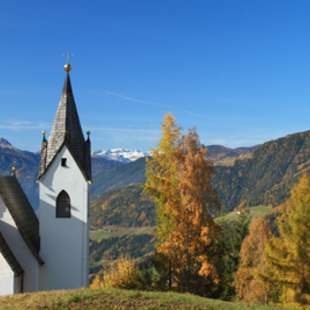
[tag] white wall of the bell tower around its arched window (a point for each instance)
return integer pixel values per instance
(64, 241)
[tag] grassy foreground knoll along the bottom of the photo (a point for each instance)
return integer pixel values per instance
(120, 300)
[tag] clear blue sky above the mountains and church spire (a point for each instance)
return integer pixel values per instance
(237, 70)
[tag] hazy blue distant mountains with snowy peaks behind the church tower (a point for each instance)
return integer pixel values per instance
(109, 167)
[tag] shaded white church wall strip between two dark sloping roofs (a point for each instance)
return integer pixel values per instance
(18, 246)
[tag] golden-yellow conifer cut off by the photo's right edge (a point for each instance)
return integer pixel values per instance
(288, 254)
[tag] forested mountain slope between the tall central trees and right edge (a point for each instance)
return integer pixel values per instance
(267, 176)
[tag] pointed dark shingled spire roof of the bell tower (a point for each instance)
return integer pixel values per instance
(67, 131)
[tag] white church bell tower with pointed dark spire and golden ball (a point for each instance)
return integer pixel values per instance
(64, 178)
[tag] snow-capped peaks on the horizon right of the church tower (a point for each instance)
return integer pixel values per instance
(120, 155)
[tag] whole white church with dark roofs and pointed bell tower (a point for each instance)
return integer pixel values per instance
(48, 249)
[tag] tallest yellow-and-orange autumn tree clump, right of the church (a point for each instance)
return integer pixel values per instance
(179, 182)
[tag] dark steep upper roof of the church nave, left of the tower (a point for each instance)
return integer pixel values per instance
(22, 213)
